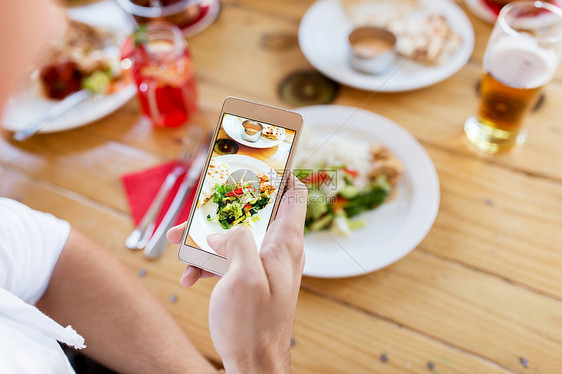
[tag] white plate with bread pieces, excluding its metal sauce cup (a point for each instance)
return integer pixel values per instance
(435, 39)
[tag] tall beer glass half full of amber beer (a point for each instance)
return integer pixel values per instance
(522, 56)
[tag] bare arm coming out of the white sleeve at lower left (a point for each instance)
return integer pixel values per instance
(113, 310)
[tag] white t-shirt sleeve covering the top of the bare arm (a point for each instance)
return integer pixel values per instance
(30, 245)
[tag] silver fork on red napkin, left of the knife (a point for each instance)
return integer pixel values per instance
(142, 233)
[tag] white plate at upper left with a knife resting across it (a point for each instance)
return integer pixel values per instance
(30, 104)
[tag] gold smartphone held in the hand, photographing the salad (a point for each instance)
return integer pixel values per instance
(243, 179)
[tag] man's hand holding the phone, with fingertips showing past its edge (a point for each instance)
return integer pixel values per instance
(252, 307)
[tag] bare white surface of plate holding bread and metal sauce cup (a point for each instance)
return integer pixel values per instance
(323, 36)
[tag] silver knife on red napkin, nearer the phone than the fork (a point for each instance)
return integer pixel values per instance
(157, 243)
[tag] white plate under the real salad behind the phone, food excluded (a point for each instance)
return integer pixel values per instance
(394, 228)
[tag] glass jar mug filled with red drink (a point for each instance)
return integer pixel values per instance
(162, 67)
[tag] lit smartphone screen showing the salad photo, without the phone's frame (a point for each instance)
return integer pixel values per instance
(242, 180)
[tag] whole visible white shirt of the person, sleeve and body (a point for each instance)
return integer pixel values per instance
(30, 245)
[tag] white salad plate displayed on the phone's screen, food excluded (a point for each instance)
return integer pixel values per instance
(201, 228)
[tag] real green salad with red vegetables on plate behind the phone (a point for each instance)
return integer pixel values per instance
(343, 181)
